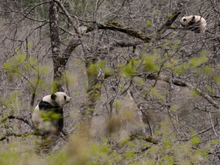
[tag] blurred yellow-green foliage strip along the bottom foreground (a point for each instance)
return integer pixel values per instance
(83, 150)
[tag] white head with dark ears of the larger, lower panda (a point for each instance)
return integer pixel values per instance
(57, 99)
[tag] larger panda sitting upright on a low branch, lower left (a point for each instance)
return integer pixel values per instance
(48, 114)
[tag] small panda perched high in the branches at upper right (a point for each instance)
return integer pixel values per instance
(194, 23)
